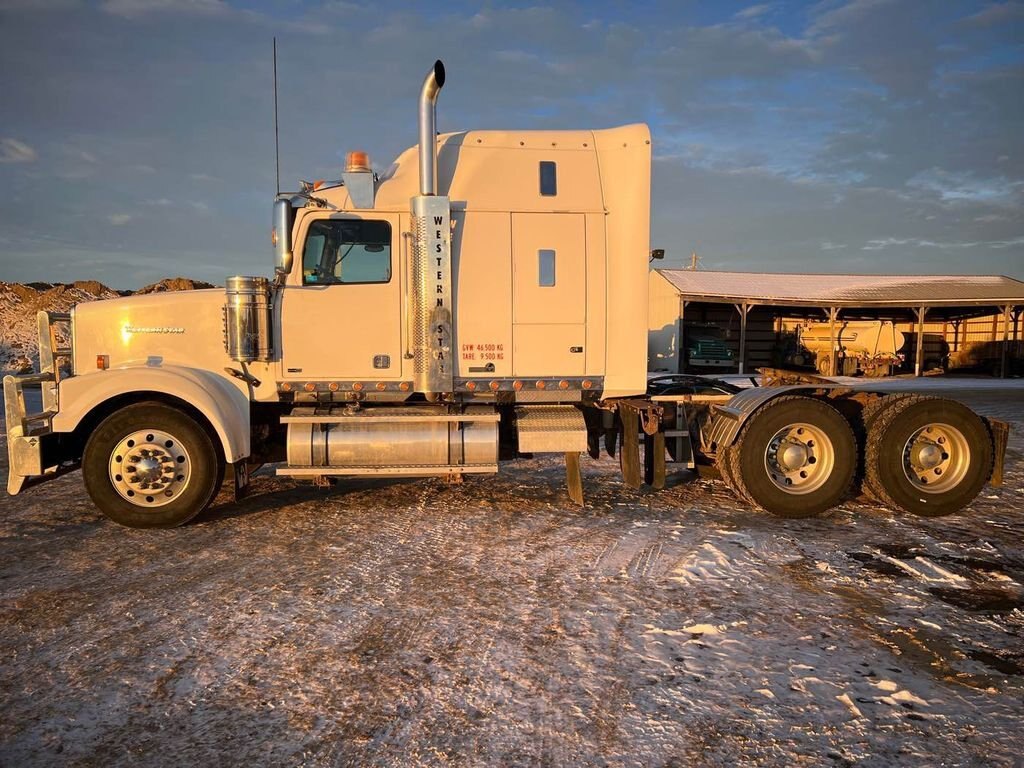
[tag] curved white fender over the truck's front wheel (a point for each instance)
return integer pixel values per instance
(224, 405)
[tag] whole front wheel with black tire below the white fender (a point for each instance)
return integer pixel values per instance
(151, 466)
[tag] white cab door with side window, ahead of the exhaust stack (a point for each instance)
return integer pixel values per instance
(342, 311)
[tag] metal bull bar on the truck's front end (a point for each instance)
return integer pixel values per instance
(26, 431)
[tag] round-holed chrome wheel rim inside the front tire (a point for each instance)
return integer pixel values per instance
(150, 468)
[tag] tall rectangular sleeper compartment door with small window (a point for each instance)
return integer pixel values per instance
(549, 284)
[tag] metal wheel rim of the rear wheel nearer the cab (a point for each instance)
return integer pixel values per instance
(800, 458)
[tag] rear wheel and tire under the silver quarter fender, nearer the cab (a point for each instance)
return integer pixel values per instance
(795, 458)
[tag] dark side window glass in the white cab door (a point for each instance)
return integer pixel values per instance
(347, 251)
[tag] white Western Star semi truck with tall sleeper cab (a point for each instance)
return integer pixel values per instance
(484, 297)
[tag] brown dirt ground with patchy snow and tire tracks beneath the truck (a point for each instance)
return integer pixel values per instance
(412, 623)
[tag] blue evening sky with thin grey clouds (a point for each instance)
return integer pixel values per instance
(876, 137)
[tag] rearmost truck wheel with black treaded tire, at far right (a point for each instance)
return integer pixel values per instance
(927, 456)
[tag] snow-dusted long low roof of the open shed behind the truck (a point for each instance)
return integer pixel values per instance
(848, 290)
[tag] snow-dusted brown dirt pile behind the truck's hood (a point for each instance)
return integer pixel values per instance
(21, 303)
